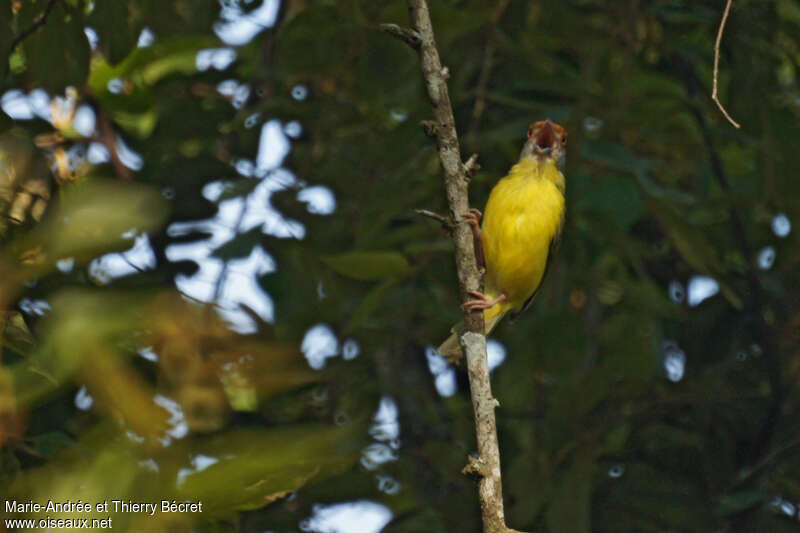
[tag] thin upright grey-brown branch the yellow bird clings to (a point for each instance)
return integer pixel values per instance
(473, 341)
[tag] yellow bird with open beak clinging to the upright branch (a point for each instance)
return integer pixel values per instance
(522, 225)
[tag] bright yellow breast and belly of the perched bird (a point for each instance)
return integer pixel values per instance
(524, 212)
